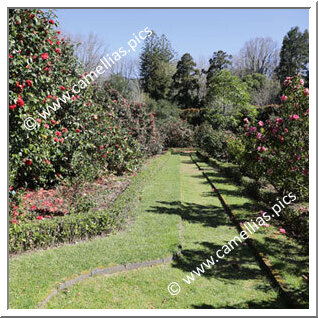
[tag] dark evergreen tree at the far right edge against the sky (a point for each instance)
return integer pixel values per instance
(294, 55)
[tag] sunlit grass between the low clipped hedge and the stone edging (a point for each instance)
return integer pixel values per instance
(33, 275)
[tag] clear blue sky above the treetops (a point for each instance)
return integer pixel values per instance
(199, 32)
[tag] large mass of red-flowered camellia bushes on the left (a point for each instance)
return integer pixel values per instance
(93, 132)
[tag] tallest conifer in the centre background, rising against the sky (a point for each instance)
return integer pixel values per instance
(156, 69)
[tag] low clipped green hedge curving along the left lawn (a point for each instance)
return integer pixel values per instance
(66, 229)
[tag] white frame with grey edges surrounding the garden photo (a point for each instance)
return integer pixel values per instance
(157, 312)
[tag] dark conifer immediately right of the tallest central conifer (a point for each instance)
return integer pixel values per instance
(185, 82)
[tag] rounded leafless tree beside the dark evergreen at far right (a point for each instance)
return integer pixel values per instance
(259, 55)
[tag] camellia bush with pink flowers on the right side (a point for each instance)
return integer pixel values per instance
(278, 149)
